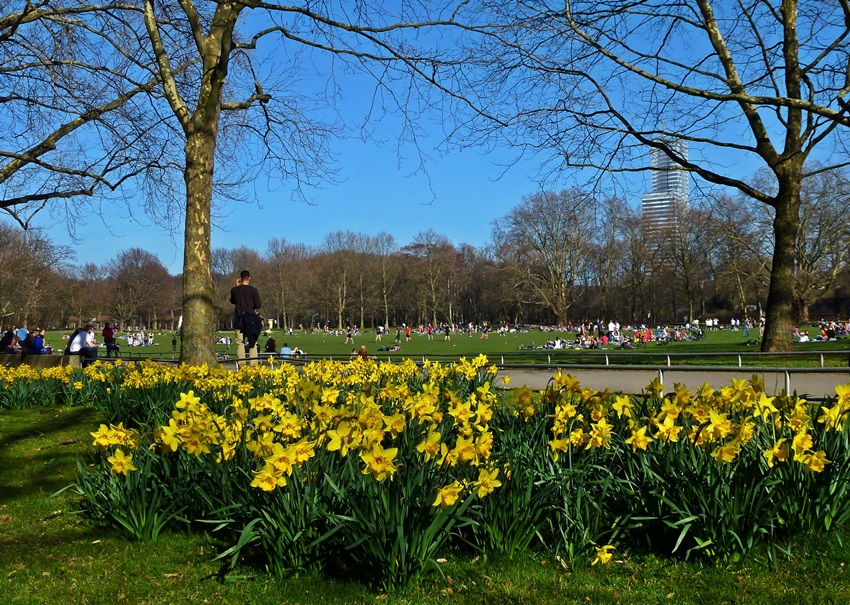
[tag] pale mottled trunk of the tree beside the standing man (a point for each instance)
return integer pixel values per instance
(198, 311)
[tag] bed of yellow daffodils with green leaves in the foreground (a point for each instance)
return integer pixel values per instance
(374, 470)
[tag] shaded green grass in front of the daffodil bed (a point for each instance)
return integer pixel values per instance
(48, 555)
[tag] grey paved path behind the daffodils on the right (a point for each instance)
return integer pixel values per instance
(808, 384)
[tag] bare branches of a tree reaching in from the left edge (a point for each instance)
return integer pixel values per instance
(70, 102)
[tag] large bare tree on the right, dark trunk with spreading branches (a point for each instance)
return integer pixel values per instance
(597, 83)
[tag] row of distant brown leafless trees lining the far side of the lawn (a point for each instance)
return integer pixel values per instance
(554, 258)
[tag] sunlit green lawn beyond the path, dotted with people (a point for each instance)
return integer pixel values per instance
(522, 348)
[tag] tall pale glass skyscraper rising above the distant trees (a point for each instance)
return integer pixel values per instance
(669, 188)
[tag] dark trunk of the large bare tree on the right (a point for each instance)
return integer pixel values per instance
(780, 298)
